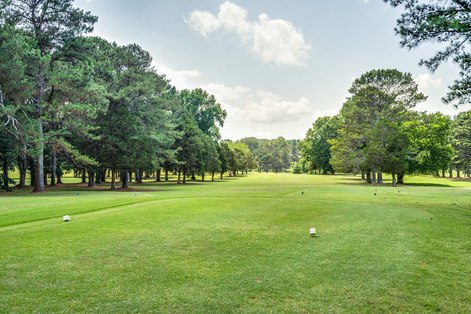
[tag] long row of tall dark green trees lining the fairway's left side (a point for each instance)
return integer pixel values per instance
(68, 101)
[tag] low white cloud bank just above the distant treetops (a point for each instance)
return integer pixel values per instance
(250, 112)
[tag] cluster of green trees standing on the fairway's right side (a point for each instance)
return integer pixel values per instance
(377, 131)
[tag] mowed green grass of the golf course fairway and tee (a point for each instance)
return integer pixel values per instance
(240, 245)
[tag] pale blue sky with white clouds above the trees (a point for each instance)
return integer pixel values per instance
(274, 65)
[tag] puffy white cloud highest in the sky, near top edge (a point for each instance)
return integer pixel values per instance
(273, 40)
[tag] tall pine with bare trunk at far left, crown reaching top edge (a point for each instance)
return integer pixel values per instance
(50, 23)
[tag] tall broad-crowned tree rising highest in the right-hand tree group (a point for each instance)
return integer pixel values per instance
(380, 98)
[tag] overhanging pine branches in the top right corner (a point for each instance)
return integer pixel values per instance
(444, 22)
